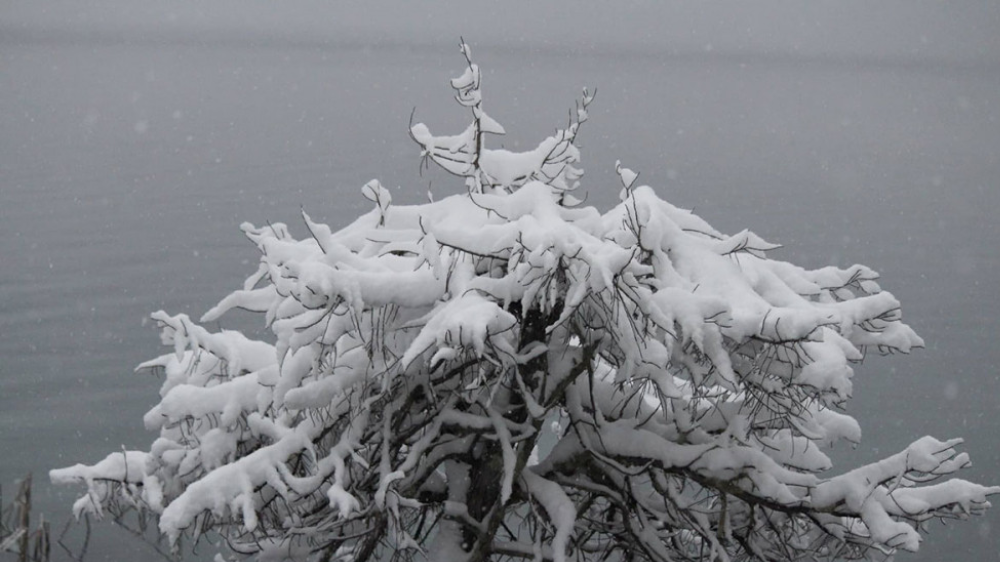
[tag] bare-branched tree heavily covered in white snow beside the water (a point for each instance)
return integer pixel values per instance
(504, 374)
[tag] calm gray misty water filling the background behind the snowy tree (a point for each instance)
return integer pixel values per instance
(134, 139)
